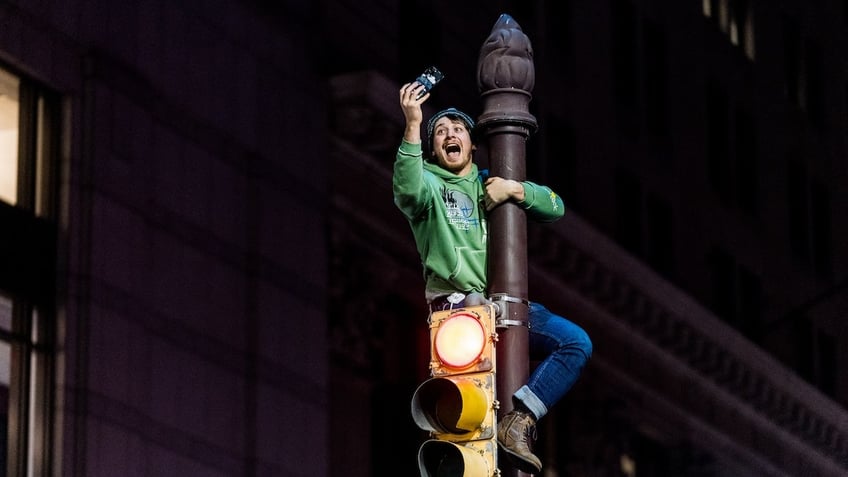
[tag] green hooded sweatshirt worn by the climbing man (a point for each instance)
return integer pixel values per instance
(448, 220)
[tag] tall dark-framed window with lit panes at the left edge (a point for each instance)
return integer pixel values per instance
(28, 146)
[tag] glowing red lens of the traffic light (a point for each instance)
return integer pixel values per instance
(460, 341)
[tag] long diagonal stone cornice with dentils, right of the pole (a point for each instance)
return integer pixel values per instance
(783, 408)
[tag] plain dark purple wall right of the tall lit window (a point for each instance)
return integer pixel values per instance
(193, 275)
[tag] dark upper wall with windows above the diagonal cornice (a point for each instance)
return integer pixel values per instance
(713, 162)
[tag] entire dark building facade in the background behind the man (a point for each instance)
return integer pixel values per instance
(202, 272)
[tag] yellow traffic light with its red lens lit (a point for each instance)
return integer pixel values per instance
(457, 405)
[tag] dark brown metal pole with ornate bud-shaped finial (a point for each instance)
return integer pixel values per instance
(506, 76)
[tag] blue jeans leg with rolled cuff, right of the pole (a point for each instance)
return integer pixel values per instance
(563, 348)
